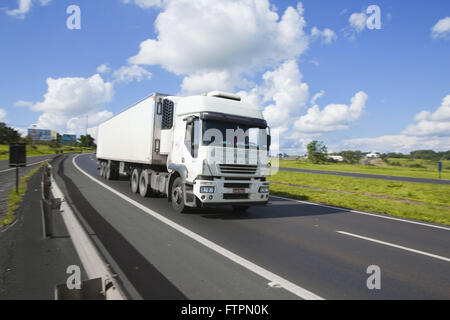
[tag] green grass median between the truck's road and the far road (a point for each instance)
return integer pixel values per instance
(420, 201)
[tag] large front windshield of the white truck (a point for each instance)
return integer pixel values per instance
(233, 135)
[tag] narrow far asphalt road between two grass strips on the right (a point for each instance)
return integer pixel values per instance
(368, 176)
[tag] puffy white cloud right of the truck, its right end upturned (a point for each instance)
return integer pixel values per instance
(333, 117)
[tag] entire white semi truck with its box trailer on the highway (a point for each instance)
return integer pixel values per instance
(198, 151)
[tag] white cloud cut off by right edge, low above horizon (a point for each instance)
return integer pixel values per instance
(432, 124)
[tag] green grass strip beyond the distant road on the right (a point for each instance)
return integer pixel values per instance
(430, 170)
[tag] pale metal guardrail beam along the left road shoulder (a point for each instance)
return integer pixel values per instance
(90, 258)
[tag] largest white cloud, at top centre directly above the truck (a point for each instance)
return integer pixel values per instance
(204, 39)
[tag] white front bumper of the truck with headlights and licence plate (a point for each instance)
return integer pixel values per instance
(232, 192)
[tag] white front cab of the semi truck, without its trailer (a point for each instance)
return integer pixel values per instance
(220, 150)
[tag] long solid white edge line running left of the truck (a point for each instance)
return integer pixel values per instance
(273, 278)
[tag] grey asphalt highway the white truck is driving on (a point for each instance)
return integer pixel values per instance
(323, 250)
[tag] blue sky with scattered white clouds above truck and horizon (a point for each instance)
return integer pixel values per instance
(278, 54)
